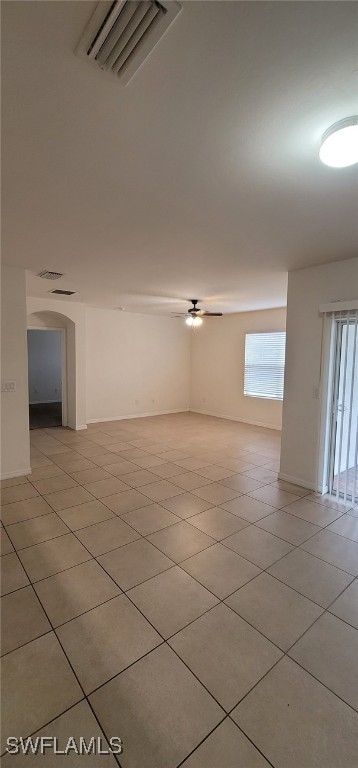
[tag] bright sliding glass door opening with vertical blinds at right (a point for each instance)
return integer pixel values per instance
(343, 454)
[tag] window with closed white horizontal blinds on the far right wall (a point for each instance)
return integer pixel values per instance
(264, 365)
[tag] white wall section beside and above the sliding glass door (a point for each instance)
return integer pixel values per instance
(307, 289)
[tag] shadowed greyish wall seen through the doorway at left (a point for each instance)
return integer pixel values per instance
(44, 366)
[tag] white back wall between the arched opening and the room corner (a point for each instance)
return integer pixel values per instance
(135, 364)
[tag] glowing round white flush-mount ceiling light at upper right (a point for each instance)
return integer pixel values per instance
(339, 147)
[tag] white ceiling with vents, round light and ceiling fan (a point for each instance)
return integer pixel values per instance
(201, 177)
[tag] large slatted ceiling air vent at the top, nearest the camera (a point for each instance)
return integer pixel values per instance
(121, 34)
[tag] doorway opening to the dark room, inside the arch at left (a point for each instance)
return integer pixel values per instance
(46, 376)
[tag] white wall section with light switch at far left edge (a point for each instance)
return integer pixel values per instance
(15, 444)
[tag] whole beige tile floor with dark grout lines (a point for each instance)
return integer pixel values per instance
(160, 584)
